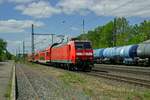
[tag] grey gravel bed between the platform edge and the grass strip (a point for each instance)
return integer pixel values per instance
(47, 88)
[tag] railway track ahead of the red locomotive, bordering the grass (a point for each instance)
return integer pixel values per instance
(136, 81)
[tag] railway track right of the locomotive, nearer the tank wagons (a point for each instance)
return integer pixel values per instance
(136, 70)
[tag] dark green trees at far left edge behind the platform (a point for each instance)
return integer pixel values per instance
(4, 54)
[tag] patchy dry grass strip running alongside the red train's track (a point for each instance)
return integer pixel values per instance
(96, 87)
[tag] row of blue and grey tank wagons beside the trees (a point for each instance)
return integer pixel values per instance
(138, 54)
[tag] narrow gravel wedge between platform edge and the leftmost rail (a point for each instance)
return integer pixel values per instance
(25, 89)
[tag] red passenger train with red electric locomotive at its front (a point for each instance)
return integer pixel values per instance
(74, 55)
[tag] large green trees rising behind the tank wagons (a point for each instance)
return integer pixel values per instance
(125, 33)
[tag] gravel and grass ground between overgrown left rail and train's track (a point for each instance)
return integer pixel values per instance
(57, 84)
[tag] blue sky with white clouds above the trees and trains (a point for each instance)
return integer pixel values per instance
(62, 17)
